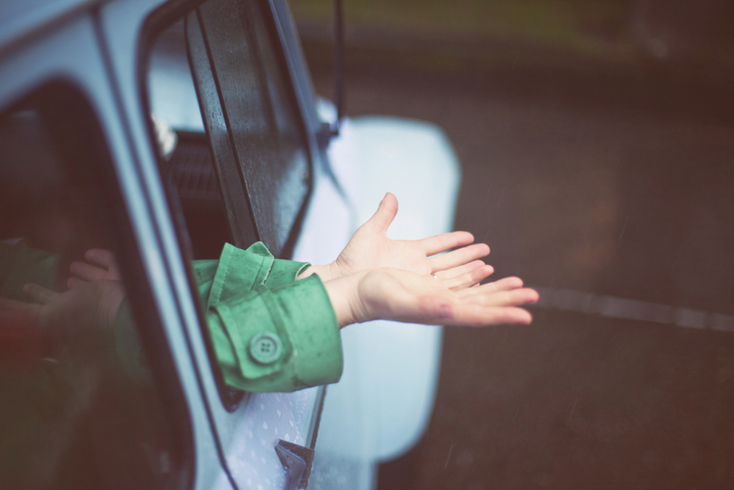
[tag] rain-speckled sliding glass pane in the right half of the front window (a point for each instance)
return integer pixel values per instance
(251, 114)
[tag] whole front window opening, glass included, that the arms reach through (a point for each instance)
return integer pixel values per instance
(225, 121)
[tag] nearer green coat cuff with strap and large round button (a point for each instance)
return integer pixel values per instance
(297, 326)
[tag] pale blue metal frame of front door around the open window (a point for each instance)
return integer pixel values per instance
(128, 66)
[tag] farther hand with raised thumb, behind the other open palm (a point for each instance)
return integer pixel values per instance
(369, 248)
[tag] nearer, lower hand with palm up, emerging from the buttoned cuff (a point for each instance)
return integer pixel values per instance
(404, 296)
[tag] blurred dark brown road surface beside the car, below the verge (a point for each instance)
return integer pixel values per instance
(622, 187)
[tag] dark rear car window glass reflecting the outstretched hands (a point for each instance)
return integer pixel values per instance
(79, 404)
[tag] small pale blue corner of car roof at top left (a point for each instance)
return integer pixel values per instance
(23, 19)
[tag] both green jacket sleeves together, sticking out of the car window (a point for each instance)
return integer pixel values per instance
(270, 332)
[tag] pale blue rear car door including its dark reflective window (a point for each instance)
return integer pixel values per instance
(96, 393)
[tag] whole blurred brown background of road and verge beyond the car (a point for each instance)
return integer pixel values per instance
(597, 145)
